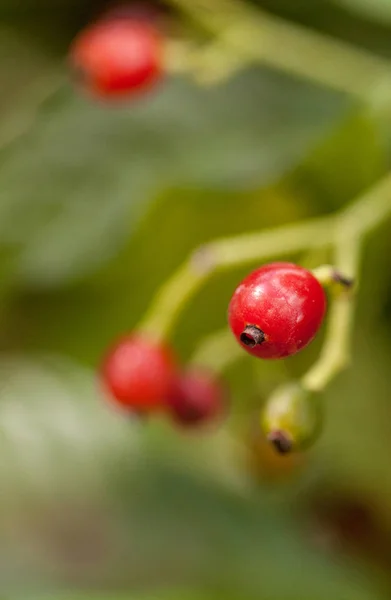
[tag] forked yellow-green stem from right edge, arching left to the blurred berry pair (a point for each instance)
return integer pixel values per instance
(351, 224)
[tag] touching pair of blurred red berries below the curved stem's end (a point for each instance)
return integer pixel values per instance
(144, 377)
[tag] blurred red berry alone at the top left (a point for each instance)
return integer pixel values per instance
(117, 57)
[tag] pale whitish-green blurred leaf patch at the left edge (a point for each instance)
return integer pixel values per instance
(38, 410)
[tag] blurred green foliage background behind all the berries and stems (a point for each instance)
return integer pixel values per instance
(98, 205)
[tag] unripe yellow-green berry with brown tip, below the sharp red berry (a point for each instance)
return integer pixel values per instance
(291, 418)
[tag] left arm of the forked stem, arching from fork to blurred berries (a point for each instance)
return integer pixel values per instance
(226, 253)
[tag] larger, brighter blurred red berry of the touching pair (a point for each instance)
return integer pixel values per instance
(138, 373)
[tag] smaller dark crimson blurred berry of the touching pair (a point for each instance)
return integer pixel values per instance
(197, 397)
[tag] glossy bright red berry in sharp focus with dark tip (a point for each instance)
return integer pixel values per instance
(277, 310)
